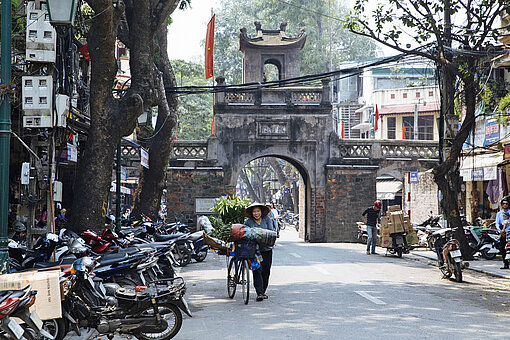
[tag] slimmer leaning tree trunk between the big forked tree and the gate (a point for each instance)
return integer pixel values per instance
(152, 180)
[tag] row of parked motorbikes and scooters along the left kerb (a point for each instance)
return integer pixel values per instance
(117, 281)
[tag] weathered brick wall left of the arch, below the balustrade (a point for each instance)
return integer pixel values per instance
(184, 185)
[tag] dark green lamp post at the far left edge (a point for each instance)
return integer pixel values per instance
(5, 133)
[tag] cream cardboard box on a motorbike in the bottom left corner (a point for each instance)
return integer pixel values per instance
(46, 282)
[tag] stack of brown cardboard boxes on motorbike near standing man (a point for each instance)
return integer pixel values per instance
(396, 221)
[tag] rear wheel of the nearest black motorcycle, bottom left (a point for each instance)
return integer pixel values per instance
(172, 316)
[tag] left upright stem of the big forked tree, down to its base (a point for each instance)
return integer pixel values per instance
(96, 163)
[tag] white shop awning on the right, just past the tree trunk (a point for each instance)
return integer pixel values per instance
(481, 167)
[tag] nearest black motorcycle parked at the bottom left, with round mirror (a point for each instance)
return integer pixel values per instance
(152, 312)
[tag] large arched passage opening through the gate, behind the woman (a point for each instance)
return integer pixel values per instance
(281, 182)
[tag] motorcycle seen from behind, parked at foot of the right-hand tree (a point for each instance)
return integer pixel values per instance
(448, 253)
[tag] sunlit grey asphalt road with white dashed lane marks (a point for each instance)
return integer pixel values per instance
(336, 291)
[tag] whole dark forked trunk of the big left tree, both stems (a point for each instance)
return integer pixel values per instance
(113, 118)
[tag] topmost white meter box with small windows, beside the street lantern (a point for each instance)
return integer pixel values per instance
(41, 37)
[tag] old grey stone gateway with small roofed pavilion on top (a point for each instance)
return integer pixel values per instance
(293, 123)
